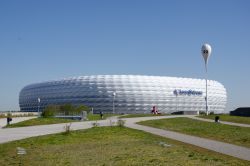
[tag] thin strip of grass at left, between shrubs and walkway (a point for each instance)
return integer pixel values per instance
(40, 121)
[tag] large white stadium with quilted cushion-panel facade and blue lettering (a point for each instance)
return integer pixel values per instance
(127, 93)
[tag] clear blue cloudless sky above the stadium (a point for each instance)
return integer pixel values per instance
(52, 39)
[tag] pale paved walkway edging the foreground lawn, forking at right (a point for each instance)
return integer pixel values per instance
(12, 134)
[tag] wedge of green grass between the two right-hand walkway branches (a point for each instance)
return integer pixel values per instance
(226, 133)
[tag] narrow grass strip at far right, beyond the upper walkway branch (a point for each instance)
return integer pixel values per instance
(229, 118)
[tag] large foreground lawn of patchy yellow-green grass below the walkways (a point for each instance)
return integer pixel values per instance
(109, 146)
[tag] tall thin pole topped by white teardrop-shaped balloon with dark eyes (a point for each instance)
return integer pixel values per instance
(206, 52)
